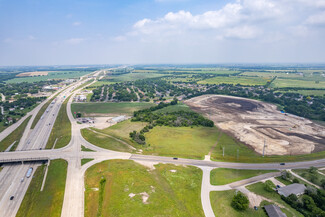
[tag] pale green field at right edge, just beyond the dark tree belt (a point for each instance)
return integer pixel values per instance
(280, 83)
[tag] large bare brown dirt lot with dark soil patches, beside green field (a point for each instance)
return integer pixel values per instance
(253, 122)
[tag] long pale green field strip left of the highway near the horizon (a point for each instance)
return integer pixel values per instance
(51, 75)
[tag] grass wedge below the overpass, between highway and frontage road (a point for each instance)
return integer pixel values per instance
(48, 202)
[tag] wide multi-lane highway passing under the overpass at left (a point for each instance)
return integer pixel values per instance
(32, 139)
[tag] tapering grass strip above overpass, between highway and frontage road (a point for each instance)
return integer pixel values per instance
(61, 129)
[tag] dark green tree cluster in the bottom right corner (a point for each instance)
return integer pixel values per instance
(311, 204)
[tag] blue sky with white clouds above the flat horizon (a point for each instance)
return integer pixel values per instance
(81, 32)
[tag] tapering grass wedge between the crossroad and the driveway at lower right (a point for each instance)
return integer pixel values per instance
(222, 176)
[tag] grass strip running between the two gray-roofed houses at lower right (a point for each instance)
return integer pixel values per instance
(258, 188)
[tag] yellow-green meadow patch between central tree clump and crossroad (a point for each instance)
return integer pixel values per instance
(183, 142)
